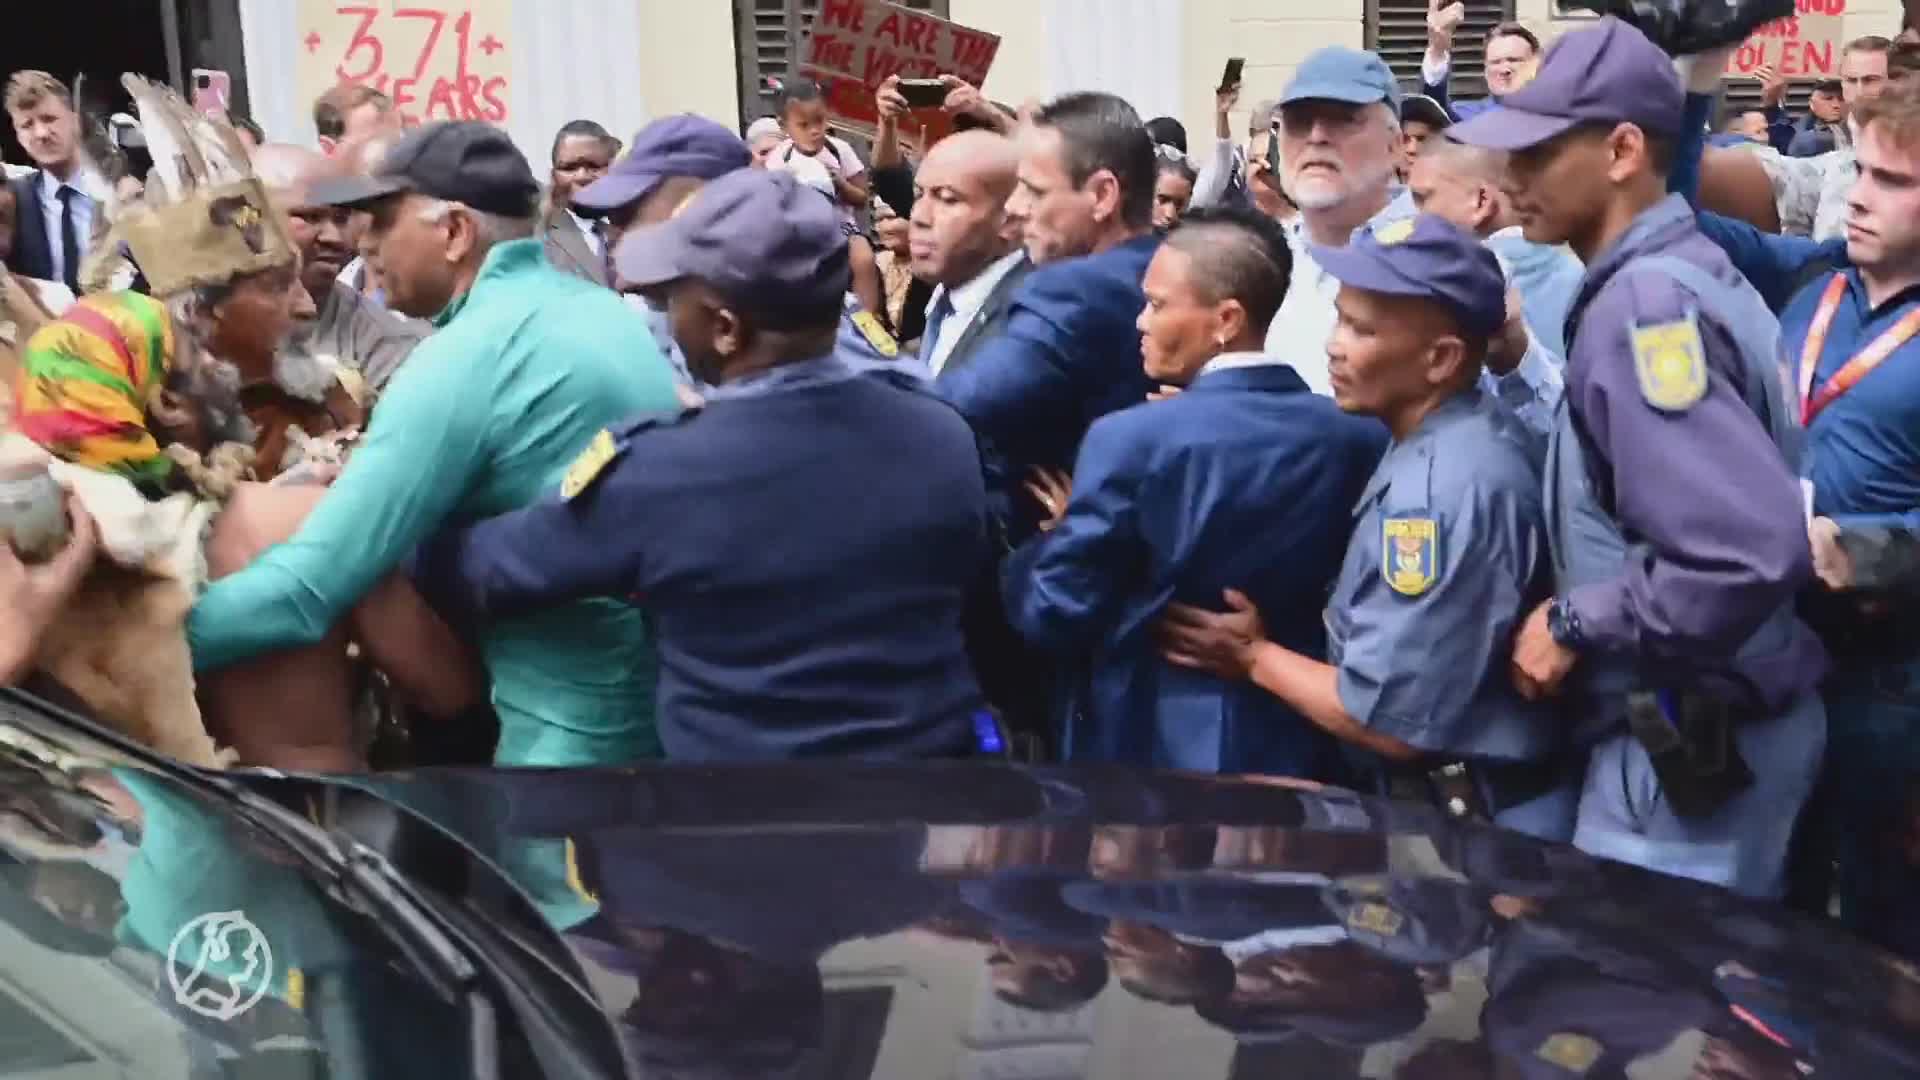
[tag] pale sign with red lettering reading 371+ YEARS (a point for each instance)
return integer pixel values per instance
(437, 59)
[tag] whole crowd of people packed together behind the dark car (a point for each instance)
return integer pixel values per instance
(1433, 449)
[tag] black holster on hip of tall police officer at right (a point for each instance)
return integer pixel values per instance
(1691, 743)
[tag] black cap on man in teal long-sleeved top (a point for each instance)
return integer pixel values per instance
(466, 162)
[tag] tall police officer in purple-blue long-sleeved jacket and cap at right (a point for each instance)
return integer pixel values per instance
(1675, 514)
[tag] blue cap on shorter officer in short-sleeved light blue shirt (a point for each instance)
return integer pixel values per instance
(1429, 258)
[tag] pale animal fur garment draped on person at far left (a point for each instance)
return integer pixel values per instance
(122, 641)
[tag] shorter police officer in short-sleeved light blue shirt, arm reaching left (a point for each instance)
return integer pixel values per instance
(1447, 554)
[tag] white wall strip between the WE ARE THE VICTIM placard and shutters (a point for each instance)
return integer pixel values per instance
(1122, 47)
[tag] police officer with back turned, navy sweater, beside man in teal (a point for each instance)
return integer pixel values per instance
(802, 543)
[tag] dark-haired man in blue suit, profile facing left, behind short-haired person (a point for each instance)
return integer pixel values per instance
(1068, 355)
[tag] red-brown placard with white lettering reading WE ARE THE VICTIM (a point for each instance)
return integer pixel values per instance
(855, 45)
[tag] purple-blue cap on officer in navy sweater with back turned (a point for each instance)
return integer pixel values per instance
(756, 235)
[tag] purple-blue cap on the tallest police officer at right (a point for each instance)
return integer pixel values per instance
(1602, 74)
